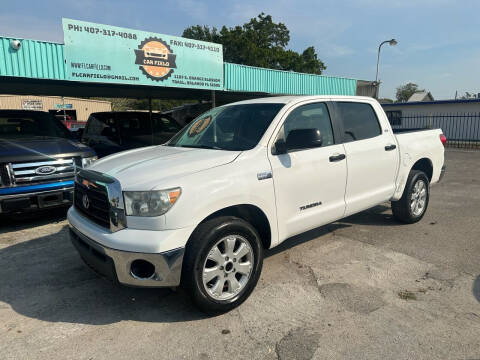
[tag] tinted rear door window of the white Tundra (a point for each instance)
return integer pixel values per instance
(359, 121)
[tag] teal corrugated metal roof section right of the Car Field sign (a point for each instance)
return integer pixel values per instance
(253, 79)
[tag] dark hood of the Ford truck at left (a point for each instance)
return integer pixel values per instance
(13, 150)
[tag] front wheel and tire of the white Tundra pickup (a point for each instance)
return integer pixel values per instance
(206, 256)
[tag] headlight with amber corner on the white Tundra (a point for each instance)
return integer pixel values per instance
(150, 203)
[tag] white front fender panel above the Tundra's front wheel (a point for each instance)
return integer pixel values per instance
(236, 183)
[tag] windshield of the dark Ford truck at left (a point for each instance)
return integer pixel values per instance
(23, 125)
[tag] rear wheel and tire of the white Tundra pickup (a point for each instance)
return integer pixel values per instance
(405, 209)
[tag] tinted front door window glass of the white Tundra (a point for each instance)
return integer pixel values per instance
(311, 116)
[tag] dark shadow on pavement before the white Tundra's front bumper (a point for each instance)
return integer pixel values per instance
(45, 278)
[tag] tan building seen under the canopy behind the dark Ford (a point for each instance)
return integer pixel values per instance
(75, 108)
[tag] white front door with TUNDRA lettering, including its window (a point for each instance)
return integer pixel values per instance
(309, 182)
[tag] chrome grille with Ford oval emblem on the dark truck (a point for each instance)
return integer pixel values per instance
(41, 171)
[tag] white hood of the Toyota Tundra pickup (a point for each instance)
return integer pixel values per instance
(146, 168)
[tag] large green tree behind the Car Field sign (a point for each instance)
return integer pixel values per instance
(260, 42)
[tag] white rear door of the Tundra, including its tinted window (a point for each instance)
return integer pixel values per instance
(372, 157)
